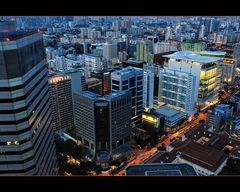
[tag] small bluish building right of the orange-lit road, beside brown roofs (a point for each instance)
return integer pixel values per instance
(218, 115)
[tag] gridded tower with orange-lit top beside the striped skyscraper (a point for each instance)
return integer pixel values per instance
(61, 102)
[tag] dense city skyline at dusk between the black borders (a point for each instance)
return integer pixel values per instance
(120, 95)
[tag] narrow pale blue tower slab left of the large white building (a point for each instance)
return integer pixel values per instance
(148, 89)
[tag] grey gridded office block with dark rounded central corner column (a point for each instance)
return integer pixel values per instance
(103, 123)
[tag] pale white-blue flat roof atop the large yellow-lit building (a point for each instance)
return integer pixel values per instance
(192, 56)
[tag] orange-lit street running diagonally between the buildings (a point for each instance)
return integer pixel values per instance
(143, 154)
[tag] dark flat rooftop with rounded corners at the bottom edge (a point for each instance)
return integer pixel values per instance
(160, 169)
